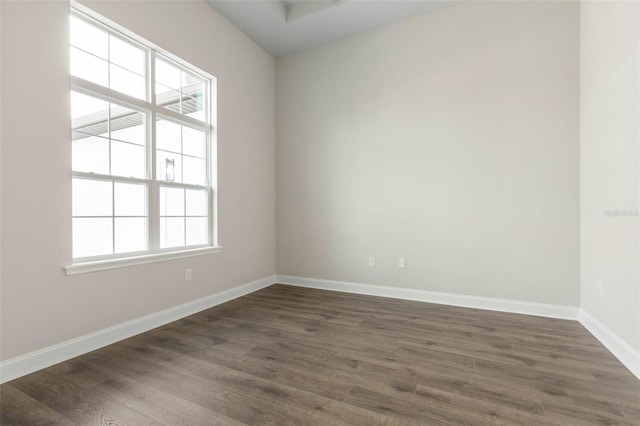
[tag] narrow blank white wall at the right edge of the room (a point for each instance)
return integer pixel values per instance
(609, 158)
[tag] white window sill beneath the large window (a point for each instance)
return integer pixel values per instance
(103, 265)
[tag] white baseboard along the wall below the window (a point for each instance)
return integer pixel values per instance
(43, 358)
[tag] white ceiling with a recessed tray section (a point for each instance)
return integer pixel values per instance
(282, 27)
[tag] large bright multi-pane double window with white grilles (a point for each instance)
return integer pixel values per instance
(143, 148)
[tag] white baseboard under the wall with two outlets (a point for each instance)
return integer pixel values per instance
(477, 302)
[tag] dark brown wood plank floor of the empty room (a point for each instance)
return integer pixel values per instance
(288, 355)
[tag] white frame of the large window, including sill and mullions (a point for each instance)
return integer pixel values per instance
(154, 253)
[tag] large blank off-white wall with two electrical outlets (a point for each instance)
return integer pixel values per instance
(451, 140)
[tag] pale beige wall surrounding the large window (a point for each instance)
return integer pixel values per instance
(40, 305)
